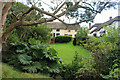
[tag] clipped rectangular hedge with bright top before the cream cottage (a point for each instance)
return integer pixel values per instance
(63, 38)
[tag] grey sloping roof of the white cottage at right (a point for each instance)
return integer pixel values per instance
(106, 23)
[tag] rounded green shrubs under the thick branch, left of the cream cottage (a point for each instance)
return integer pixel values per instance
(40, 32)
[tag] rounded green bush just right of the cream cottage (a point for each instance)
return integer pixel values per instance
(81, 34)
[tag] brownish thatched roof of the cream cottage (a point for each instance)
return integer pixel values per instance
(59, 25)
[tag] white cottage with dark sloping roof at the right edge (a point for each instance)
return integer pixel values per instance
(98, 28)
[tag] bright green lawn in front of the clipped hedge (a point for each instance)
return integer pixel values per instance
(66, 51)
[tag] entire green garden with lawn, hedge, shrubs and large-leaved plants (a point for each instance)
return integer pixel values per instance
(28, 53)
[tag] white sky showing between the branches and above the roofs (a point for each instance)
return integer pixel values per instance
(100, 18)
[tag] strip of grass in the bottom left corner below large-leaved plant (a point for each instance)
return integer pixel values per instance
(10, 72)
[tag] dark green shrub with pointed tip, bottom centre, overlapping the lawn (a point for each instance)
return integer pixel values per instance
(69, 71)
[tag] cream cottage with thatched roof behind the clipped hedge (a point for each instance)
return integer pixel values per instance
(59, 28)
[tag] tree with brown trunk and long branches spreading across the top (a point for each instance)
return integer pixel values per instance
(70, 9)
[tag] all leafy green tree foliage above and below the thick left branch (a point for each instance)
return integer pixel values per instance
(23, 33)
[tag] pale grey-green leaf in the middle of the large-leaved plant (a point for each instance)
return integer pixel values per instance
(25, 59)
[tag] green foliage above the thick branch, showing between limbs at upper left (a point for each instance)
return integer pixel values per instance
(18, 9)
